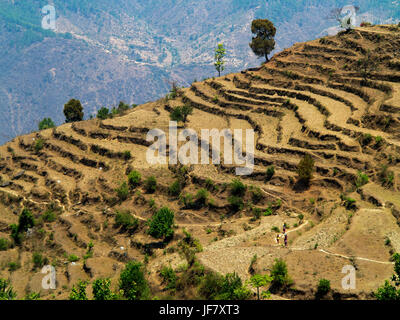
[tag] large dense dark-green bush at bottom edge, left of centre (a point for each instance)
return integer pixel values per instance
(133, 283)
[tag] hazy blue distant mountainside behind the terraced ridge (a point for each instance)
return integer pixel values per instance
(106, 51)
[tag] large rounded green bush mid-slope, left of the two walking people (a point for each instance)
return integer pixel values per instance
(161, 224)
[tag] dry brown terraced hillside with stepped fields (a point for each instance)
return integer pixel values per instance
(309, 99)
